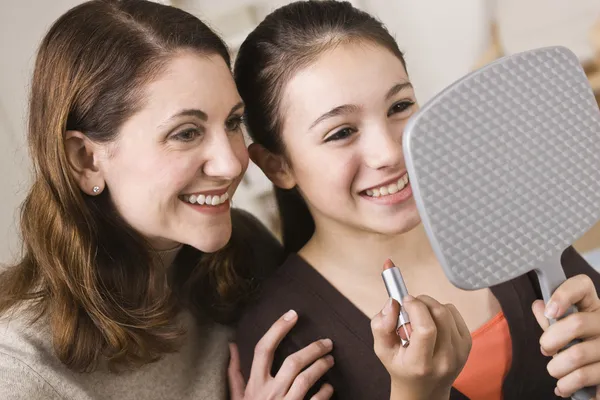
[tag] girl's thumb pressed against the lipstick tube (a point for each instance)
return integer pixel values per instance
(386, 342)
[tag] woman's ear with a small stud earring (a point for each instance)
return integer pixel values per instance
(82, 154)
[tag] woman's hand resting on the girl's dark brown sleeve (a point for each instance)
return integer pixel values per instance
(297, 375)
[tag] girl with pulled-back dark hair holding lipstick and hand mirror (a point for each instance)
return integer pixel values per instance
(327, 97)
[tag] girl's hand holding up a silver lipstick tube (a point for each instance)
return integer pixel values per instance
(438, 345)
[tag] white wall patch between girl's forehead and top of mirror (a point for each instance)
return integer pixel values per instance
(442, 40)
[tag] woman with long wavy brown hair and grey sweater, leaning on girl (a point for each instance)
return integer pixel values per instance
(133, 262)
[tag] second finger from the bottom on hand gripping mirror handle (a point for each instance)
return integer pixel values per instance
(573, 358)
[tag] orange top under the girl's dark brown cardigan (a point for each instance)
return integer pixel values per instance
(488, 362)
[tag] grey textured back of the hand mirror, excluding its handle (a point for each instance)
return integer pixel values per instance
(505, 166)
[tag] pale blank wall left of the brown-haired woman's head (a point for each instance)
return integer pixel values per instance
(22, 25)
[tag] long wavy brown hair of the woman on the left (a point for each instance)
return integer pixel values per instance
(83, 268)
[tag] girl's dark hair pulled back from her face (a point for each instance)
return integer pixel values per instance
(288, 40)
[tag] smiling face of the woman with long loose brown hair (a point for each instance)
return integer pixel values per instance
(177, 162)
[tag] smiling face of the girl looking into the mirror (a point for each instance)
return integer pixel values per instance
(342, 130)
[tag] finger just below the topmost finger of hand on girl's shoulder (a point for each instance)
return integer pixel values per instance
(296, 362)
